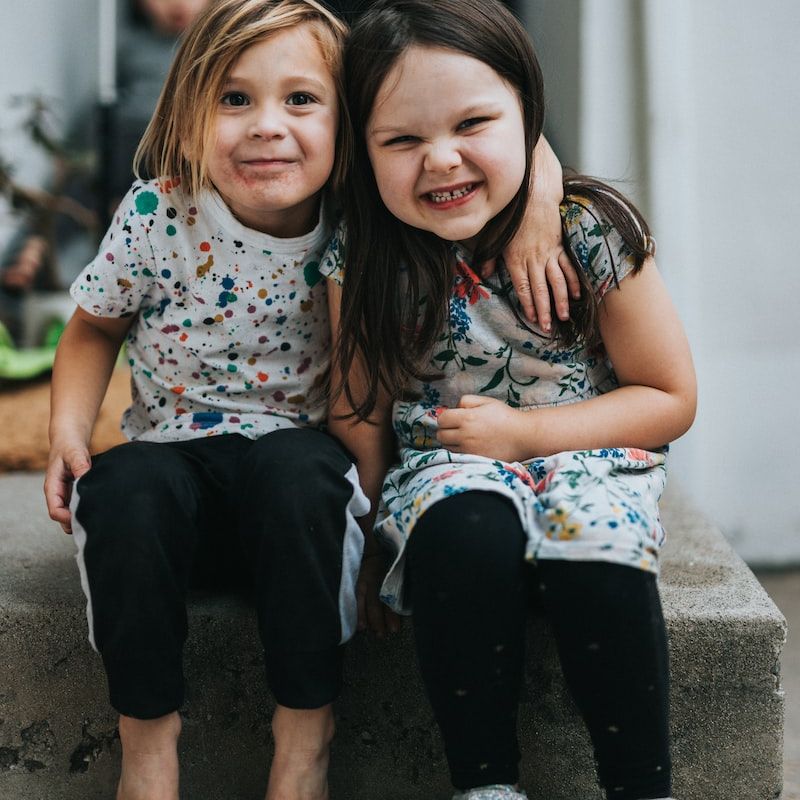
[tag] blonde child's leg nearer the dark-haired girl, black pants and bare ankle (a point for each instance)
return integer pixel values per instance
(298, 492)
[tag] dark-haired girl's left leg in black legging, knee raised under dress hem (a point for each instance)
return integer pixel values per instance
(466, 575)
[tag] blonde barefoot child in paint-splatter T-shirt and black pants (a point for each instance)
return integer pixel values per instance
(209, 274)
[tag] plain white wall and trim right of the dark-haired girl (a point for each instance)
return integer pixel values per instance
(699, 102)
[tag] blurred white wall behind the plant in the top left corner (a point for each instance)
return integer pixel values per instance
(48, 48)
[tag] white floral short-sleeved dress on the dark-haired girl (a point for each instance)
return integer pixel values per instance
(591, 505)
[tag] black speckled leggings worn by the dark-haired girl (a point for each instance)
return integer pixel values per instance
(470, 590)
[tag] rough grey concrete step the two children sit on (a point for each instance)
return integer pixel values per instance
(58, 739)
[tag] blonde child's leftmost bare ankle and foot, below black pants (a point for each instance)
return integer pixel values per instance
(149, 758)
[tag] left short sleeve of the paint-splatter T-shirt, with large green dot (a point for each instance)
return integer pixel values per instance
(123, 273)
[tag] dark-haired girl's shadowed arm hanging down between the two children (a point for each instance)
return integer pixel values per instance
(372, 445)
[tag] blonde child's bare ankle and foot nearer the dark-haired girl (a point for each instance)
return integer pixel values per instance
(302, 749)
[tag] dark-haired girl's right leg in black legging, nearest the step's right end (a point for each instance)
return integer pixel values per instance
(611, 638)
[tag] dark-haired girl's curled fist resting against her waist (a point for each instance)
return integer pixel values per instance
(483, 426)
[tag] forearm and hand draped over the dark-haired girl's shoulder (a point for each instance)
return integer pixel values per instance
(536, 256)
